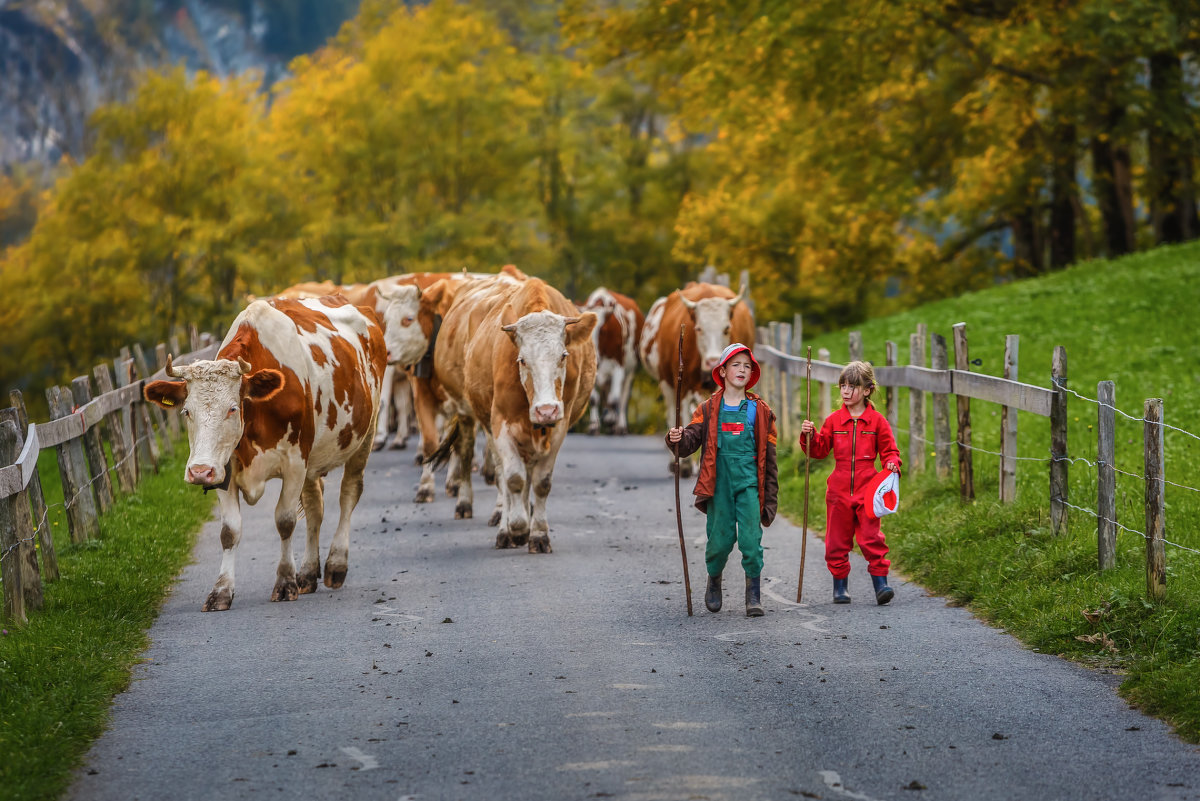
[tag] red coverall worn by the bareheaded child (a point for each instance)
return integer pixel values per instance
(855, 444)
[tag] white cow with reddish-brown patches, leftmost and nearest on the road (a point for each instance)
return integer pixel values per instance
(293, 394)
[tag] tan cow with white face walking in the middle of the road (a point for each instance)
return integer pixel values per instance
(515, 358)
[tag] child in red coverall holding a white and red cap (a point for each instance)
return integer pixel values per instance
(856, 435)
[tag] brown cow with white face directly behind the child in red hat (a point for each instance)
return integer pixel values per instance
(713, 318)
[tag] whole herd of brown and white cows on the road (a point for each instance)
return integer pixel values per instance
(308, 381)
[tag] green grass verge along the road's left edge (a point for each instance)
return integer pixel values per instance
(61, 671)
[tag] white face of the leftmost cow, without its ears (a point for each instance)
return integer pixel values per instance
(213, 414)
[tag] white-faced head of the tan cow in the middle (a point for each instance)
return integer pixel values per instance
(543, 341)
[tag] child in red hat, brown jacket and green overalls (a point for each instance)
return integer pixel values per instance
(739, 484)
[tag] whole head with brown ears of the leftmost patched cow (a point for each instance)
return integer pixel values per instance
(211, 400)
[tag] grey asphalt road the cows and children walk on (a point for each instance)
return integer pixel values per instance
(448, 670)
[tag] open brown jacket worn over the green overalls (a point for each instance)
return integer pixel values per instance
(703, 430)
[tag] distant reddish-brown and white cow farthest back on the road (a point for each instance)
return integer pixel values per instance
(616, 338)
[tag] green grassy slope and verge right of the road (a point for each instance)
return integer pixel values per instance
(1124, 321)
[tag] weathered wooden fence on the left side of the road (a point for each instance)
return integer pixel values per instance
(81, 426)
